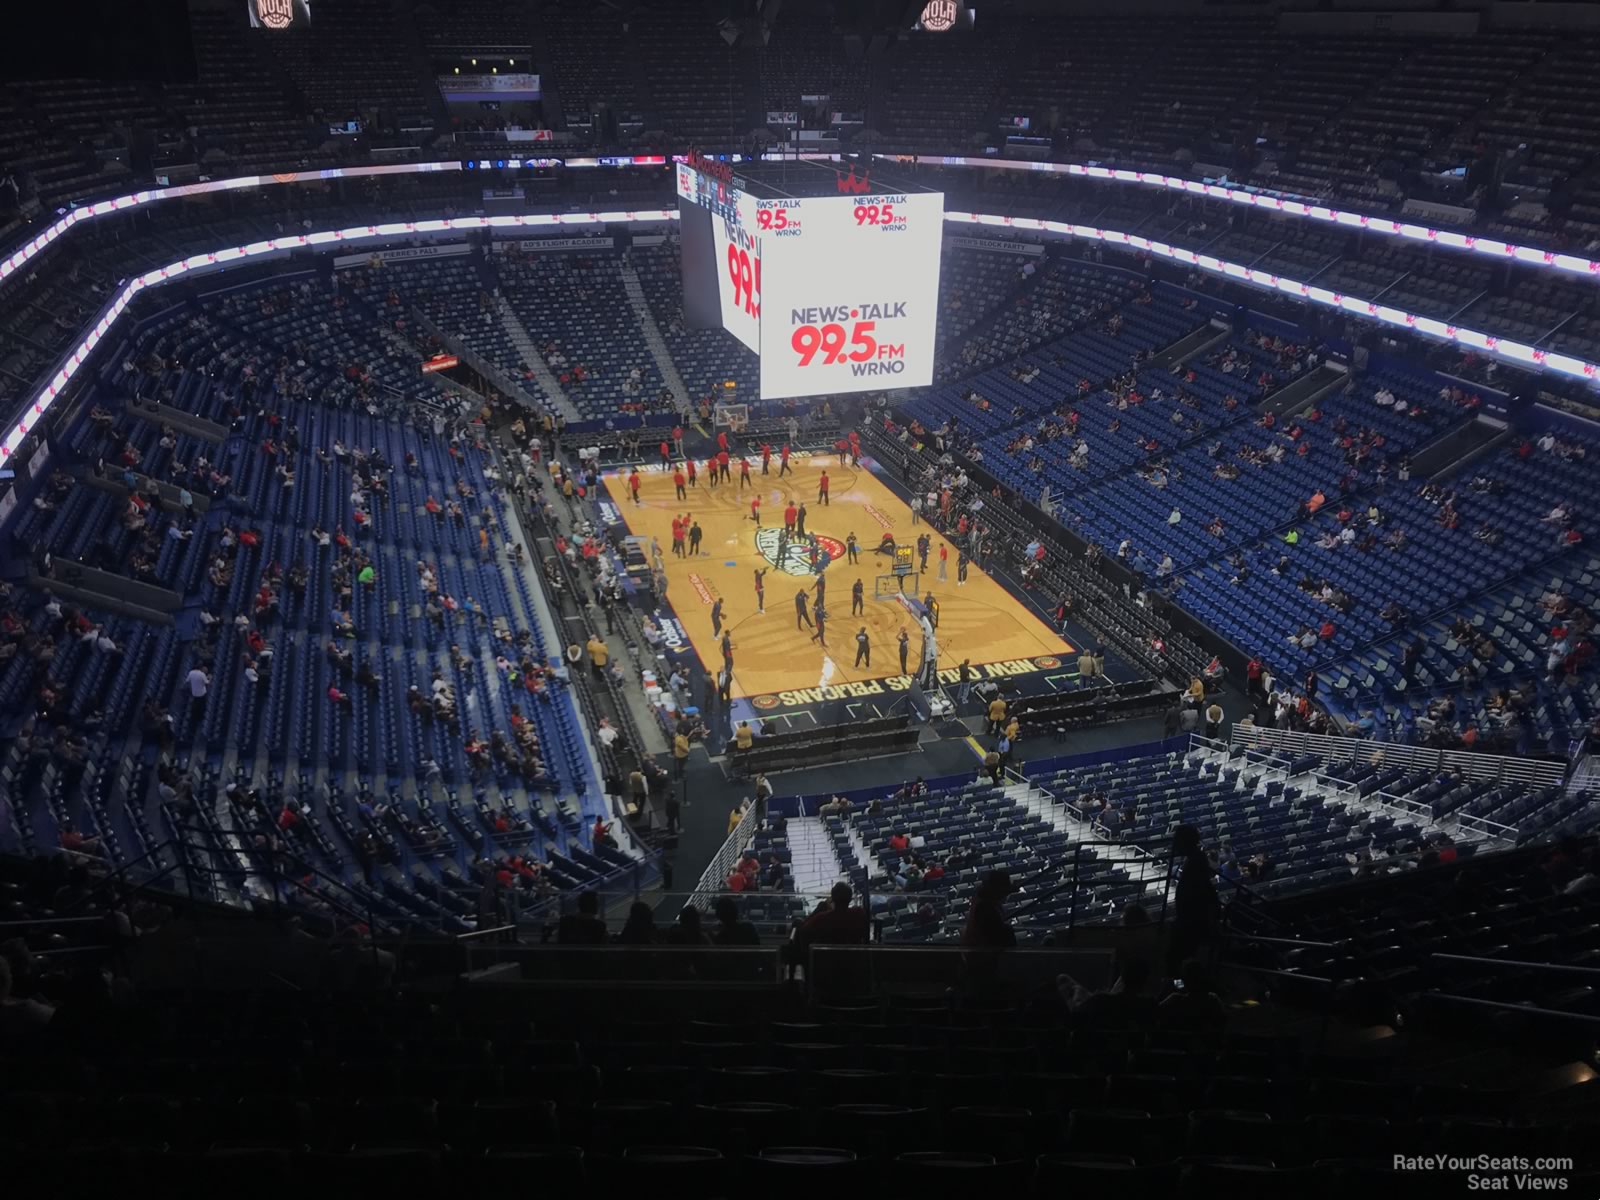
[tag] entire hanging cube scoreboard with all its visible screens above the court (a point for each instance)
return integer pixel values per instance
(836, 294)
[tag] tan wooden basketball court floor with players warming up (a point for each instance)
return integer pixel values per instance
(978, 620)
